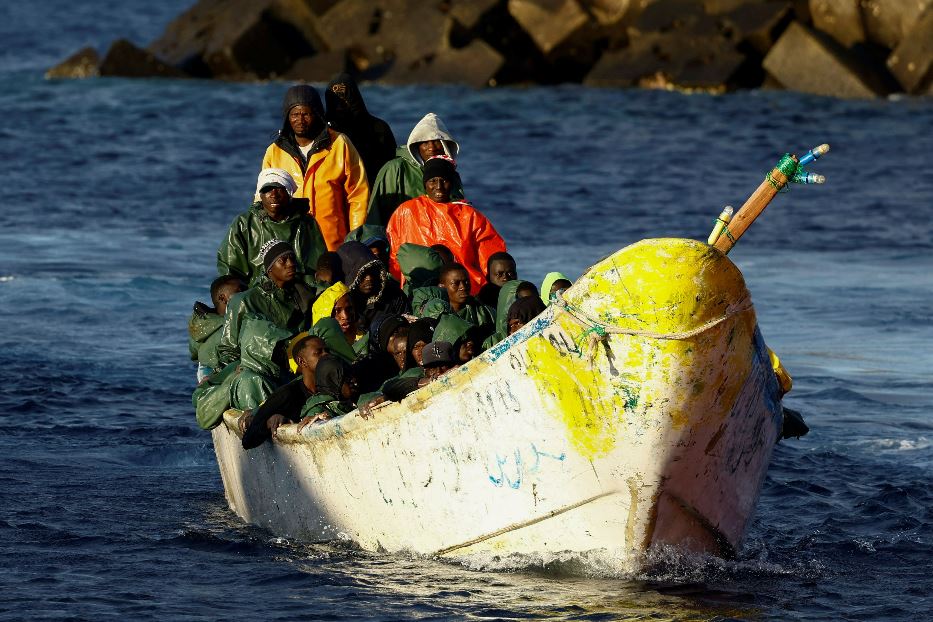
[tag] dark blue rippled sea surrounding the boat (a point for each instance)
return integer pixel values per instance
(119, 191)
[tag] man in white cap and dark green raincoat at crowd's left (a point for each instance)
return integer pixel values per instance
(276, 215)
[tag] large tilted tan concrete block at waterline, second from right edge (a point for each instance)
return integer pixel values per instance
(802, 60)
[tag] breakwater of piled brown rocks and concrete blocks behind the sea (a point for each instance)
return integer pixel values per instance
(844, 48)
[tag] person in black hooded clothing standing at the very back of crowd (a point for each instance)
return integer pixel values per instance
(347, 113)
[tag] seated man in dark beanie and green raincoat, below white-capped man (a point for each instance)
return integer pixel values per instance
(260, 323)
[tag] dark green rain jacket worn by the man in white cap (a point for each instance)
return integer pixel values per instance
(239, 252)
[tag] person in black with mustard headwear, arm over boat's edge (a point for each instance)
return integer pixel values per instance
(285, 403)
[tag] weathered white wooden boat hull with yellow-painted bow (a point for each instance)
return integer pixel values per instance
(641, 409)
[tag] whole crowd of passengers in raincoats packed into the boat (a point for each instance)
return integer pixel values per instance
(359, 274)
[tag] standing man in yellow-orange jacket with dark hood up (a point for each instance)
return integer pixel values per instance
(325, 165)
